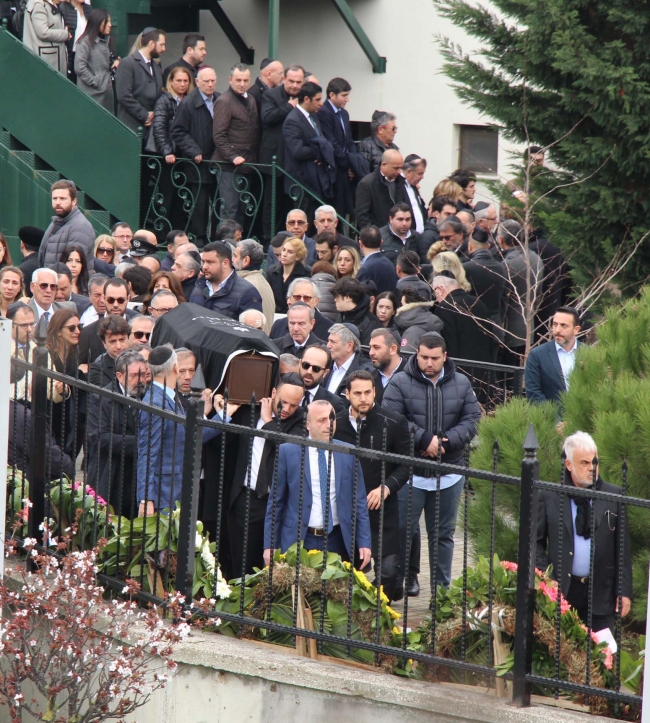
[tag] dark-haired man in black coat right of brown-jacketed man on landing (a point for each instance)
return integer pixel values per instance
(277, 103)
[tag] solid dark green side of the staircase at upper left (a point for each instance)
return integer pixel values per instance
(49, 129)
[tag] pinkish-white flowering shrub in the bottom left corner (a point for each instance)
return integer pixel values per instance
(69, 655)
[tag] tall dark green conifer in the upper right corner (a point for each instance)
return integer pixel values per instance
(573, 76)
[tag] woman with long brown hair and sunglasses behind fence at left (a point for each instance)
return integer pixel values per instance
(68, 414)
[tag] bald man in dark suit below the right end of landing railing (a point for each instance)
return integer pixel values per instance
(380, 190)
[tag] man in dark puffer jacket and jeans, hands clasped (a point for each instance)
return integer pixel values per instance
(442, 406)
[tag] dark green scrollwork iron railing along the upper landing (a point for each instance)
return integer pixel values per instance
(191, 196)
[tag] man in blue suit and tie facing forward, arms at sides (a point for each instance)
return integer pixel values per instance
(318, 520)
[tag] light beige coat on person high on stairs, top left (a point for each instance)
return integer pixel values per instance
(45, 35)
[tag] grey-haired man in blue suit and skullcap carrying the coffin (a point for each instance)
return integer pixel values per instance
(161, 441)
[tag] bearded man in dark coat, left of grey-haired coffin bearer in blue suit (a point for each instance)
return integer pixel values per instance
(111, 436)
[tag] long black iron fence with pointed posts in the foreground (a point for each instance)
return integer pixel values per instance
(163, 448)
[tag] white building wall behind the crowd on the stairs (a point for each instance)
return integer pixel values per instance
(414, 88)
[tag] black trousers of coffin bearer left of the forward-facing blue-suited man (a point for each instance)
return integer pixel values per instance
(251, 536)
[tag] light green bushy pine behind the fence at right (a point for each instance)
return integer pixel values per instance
(609, 397)
